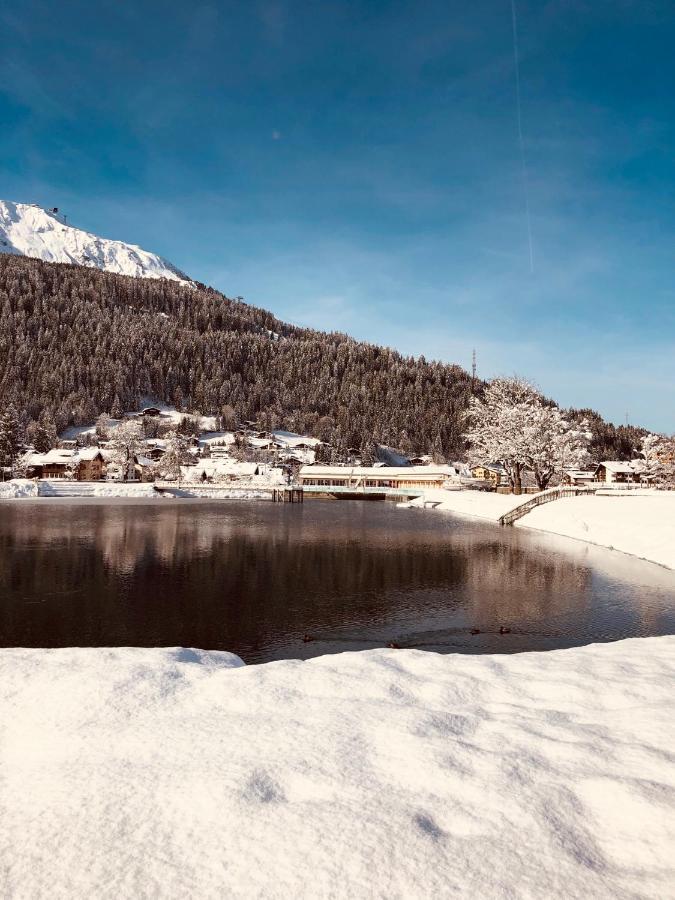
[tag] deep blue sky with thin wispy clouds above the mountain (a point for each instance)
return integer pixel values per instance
(355, 166)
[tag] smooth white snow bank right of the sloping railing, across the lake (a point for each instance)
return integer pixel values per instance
(640, 524)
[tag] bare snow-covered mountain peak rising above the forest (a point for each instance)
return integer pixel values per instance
(29, 230)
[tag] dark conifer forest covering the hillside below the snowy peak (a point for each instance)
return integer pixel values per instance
(76, 342)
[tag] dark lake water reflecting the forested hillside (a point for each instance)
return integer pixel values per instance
(254, 578)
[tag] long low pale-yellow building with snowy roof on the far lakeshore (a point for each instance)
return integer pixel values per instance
(363, 477)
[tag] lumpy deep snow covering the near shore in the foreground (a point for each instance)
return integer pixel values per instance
(167, 773)
